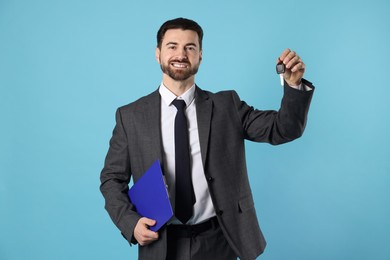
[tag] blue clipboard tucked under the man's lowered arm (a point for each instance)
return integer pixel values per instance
(150, 197)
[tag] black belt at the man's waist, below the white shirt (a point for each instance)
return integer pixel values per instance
(192, 230)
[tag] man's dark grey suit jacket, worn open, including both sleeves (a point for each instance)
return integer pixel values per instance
(224, 122)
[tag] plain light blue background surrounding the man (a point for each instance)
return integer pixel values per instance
(65, 66)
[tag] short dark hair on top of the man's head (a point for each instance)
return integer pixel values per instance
(179, 23)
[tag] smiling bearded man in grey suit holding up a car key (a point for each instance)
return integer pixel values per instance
(222, 222)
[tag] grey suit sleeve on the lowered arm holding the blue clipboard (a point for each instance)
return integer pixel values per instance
(115, 178)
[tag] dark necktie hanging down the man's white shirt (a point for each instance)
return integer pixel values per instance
(184, 196)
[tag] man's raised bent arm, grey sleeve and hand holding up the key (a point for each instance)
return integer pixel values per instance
(287, 124)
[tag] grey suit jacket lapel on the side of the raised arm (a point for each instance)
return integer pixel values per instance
(204, 107)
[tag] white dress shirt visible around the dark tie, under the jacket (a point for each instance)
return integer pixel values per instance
(203, 208)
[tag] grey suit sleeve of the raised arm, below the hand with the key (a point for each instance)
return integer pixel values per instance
(276, 127)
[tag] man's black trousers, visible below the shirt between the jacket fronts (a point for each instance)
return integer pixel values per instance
(198, 242)
